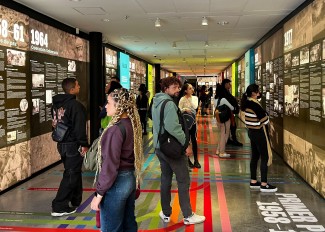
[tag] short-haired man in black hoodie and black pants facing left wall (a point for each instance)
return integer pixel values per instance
(68, 110)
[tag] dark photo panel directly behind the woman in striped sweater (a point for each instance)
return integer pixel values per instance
(269, 76)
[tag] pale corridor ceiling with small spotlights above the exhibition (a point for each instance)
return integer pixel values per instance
(181, 44)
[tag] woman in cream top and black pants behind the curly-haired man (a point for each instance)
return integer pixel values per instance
(189, 103)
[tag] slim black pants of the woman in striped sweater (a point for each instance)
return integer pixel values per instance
(259, 149)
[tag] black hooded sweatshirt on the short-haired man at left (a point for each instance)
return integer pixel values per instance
(73, 114)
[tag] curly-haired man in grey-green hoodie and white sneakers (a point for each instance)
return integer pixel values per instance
(170, 88)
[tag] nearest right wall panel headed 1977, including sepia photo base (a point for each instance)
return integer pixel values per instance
(304, 120)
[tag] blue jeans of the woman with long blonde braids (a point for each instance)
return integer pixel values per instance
(118, 205)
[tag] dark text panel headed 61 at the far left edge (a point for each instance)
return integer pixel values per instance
(14, 84)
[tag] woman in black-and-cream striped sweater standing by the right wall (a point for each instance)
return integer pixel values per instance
(257, 121)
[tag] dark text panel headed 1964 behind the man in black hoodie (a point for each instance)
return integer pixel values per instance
(54, 56)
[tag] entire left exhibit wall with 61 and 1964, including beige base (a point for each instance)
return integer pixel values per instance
(34, 59)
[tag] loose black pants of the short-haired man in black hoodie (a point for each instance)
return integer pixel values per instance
(70, 189)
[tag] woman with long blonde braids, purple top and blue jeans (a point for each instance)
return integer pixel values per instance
(120, 163)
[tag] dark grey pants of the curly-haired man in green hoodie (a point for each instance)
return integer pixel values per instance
(168, 167)
